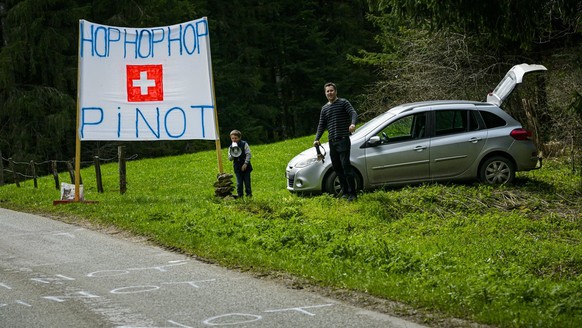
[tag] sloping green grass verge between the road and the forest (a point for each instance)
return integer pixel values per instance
(508, 256)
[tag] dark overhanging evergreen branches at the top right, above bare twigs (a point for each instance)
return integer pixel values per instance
(525, 24)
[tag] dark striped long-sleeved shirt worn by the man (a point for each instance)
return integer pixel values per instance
(336, 117)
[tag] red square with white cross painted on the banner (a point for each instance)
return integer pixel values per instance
(144, 83)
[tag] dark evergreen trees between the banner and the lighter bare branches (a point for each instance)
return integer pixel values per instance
(273, 57)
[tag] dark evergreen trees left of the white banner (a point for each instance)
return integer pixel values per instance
(38, 78)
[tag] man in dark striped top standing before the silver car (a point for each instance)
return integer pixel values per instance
(339, 118)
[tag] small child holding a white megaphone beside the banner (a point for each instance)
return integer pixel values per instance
(241, 163)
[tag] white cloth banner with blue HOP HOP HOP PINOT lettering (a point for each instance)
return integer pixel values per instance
(145, 83)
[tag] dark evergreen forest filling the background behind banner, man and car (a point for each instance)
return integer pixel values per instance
(271, 59)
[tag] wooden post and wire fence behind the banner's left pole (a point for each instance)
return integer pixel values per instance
(12, 171)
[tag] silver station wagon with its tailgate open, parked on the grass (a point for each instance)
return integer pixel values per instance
(443, 140)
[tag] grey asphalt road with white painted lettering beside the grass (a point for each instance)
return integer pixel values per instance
(54, 274)
